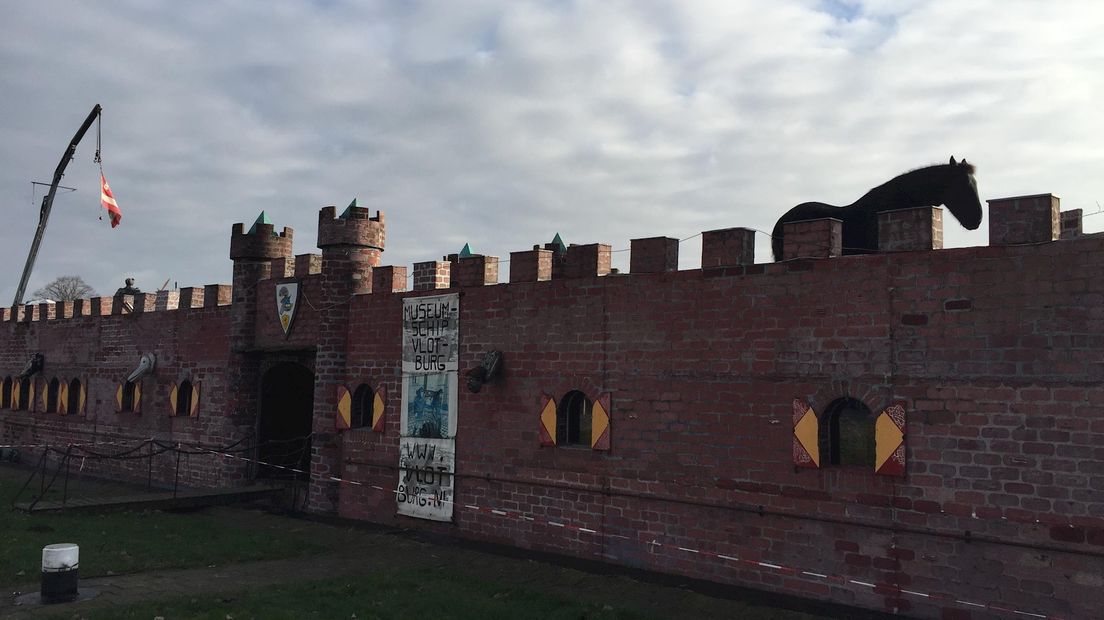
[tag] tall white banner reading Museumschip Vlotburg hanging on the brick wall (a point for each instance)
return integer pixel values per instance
(428, 432)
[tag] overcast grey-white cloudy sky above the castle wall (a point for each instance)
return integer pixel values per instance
(503, 123)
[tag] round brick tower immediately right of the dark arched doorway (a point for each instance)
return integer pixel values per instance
(352, 245)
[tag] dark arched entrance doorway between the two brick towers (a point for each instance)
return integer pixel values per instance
(288, 401)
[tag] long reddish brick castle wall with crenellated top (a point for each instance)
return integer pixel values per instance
(993, 350)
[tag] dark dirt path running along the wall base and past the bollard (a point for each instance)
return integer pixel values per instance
(369, 549)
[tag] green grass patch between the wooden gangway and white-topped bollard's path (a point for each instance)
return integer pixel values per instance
(129, 542)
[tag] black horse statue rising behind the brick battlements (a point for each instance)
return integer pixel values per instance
(951, 185)
